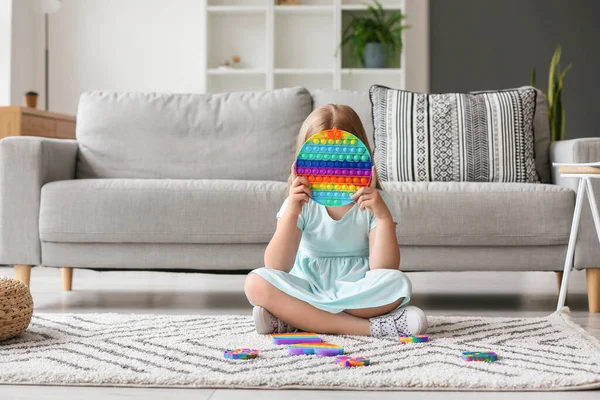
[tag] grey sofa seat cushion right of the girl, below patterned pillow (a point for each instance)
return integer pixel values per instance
(481, 214)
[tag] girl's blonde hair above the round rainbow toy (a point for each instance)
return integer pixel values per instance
(329, 116)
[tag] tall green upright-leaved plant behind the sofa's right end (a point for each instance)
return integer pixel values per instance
(556, 109)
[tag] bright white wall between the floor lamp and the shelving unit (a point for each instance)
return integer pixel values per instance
(125, 45)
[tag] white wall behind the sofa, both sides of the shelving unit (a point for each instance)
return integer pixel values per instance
(140, 45)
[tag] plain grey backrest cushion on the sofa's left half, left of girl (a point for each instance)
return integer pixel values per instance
(190, 136)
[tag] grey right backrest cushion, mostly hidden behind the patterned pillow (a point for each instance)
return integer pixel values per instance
(362, 105)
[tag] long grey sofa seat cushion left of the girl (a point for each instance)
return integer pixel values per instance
(159, 211)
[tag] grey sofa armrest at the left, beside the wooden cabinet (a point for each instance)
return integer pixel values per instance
(26, 164)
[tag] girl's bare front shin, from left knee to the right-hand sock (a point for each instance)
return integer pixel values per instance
(300, 314)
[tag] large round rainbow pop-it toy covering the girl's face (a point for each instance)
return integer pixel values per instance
(336, 164)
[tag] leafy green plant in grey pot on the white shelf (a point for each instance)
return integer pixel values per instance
(373, 37)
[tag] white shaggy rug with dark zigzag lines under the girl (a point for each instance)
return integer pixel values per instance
(549, 353)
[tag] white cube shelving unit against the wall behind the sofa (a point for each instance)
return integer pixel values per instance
(284, 46)
